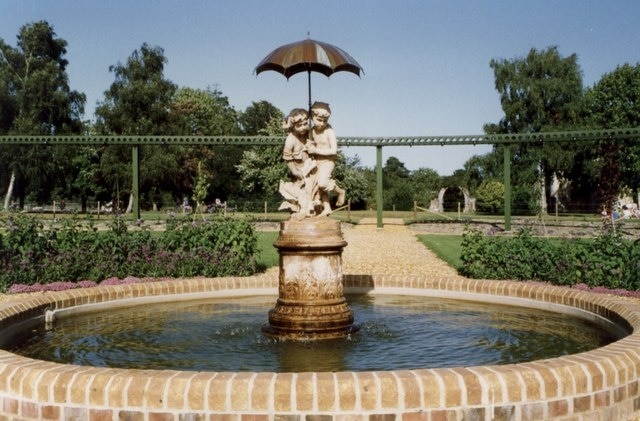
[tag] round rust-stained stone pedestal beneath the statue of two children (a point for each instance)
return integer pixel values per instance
(311, 303)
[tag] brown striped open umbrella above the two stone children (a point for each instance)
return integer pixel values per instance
(309, 56)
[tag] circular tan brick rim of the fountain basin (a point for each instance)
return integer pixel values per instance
(603, 383)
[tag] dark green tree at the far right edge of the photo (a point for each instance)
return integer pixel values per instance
(614, 102)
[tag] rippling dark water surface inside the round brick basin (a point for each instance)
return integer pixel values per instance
(396, 332)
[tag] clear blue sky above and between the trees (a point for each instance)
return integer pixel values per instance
(426, 63)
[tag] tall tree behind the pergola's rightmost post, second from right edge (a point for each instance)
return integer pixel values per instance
(542, 91)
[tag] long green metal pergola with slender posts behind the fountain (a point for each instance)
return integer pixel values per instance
(626, 134)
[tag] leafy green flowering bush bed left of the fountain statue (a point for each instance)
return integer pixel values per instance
(32, 254)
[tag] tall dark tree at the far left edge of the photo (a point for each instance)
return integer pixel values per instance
(35, 99)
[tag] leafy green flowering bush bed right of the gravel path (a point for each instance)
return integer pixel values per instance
(606, 261)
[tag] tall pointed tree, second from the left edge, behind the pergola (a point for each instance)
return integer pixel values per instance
(137, 103)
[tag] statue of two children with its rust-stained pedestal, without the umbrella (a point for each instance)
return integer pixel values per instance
(311, 303)
